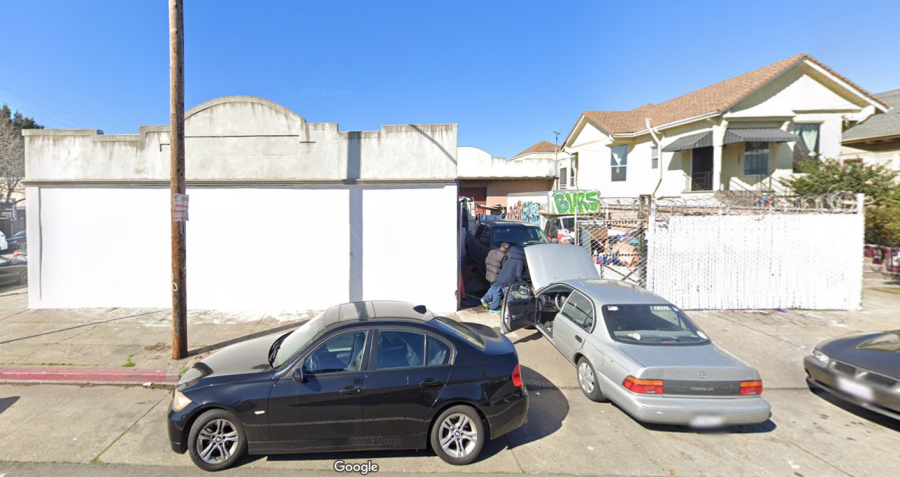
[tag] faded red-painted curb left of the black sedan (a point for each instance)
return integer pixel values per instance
(66, 375)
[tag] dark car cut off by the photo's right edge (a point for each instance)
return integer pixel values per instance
(863, 369)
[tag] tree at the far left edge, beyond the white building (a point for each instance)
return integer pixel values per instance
(12, 151)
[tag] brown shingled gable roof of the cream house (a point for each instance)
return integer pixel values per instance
(711, 100)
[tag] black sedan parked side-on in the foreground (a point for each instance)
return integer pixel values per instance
(360, 376)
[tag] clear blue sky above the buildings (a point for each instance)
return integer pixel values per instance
(509, 73)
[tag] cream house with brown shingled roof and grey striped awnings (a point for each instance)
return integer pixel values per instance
(741, 134)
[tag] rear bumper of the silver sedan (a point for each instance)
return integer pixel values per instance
(696, 412)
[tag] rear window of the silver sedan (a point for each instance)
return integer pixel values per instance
(651, 325)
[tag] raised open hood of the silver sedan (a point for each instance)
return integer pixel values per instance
(551, 262)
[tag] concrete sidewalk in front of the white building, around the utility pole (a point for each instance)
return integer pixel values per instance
(109, 345)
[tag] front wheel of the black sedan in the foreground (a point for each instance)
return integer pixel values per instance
(205, 447)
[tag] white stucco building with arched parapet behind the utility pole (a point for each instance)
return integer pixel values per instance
(284, 214)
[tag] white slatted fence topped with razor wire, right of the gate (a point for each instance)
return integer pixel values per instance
(796, 261)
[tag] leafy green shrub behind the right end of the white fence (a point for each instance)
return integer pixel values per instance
(877, 182)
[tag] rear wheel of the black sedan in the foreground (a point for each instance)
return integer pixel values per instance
(462, 433)
